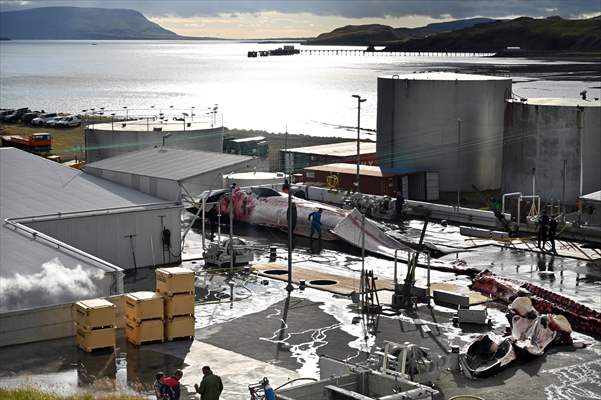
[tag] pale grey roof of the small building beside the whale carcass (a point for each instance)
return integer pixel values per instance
(169, 163)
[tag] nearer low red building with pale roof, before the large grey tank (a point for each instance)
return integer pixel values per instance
(412, 184)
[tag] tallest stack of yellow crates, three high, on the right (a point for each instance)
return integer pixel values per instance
(176, 285)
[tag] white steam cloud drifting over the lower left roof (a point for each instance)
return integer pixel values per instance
(54, 284)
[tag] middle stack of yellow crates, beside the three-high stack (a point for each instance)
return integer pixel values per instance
(143, 317)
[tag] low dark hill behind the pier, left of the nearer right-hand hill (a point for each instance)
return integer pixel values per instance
(383, 34)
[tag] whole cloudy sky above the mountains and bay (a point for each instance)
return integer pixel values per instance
(245, 19)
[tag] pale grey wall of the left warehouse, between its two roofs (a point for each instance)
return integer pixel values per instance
(106, 235)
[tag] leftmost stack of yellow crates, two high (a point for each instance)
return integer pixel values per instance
(95, 322)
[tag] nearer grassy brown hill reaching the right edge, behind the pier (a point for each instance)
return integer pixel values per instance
(530, 34)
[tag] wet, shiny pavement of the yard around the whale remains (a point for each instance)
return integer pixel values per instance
(263, 332)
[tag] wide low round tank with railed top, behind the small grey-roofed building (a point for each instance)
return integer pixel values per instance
(114, 138)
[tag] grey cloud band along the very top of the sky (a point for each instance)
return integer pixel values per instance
(436, 9)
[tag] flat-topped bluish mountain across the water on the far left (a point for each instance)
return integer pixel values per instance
(80, 23)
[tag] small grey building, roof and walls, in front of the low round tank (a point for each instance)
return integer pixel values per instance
(169, 173)
